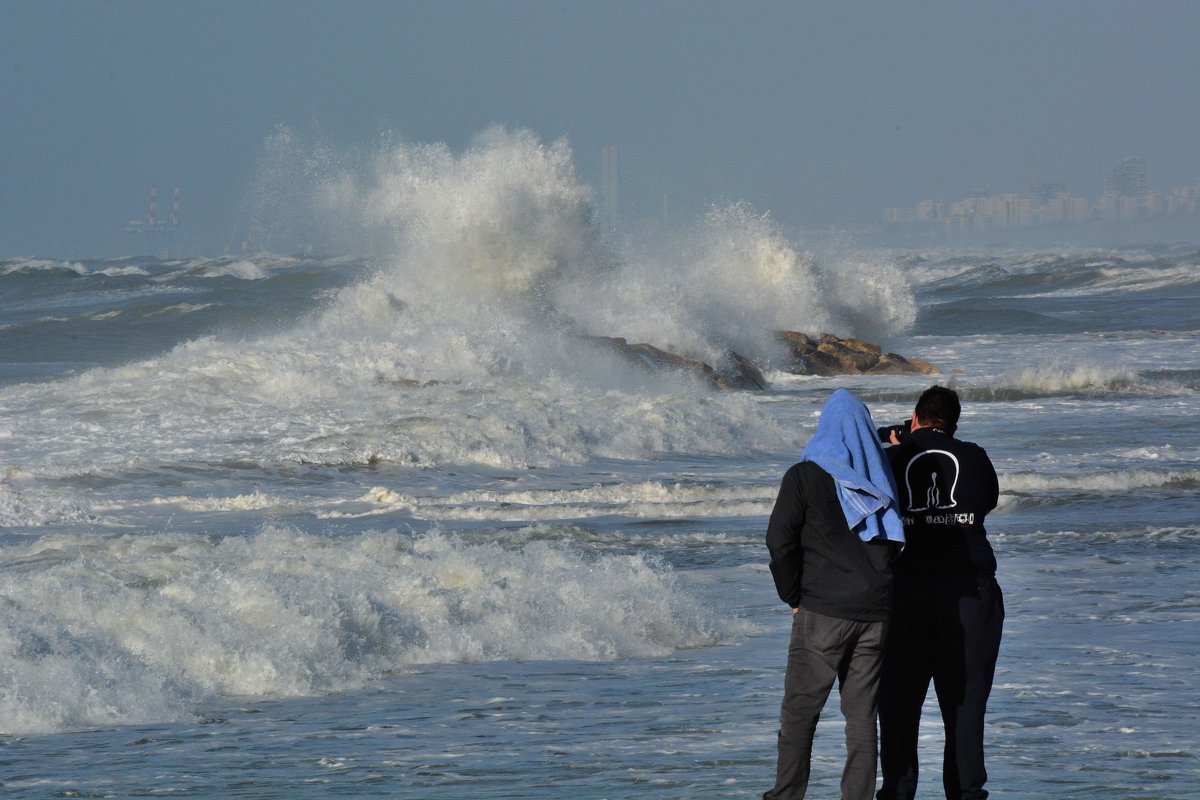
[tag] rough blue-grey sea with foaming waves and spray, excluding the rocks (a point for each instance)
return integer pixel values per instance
(387, 522)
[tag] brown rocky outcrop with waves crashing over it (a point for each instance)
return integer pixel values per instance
(827, 356)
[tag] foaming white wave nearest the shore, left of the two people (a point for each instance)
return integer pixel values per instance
(100, 631)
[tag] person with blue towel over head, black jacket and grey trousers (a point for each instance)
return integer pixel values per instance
(832, 537)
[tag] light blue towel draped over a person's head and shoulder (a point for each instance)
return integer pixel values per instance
(847, 446)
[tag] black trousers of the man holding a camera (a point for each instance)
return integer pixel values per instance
(944, 629)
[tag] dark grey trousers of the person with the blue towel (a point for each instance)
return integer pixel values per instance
(824, 649)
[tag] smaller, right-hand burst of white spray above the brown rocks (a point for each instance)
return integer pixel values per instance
(733, 280)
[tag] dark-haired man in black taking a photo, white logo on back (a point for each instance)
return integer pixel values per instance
(949, 613)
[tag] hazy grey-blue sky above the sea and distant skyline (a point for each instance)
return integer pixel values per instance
(819, 113)
